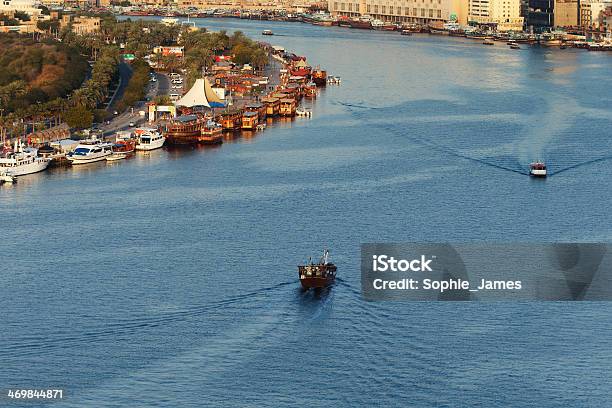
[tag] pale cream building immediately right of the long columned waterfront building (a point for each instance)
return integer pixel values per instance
(505, 14)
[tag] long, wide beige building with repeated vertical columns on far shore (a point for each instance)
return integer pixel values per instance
(402, 11)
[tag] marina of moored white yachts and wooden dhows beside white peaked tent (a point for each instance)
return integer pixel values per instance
(197, 122)
